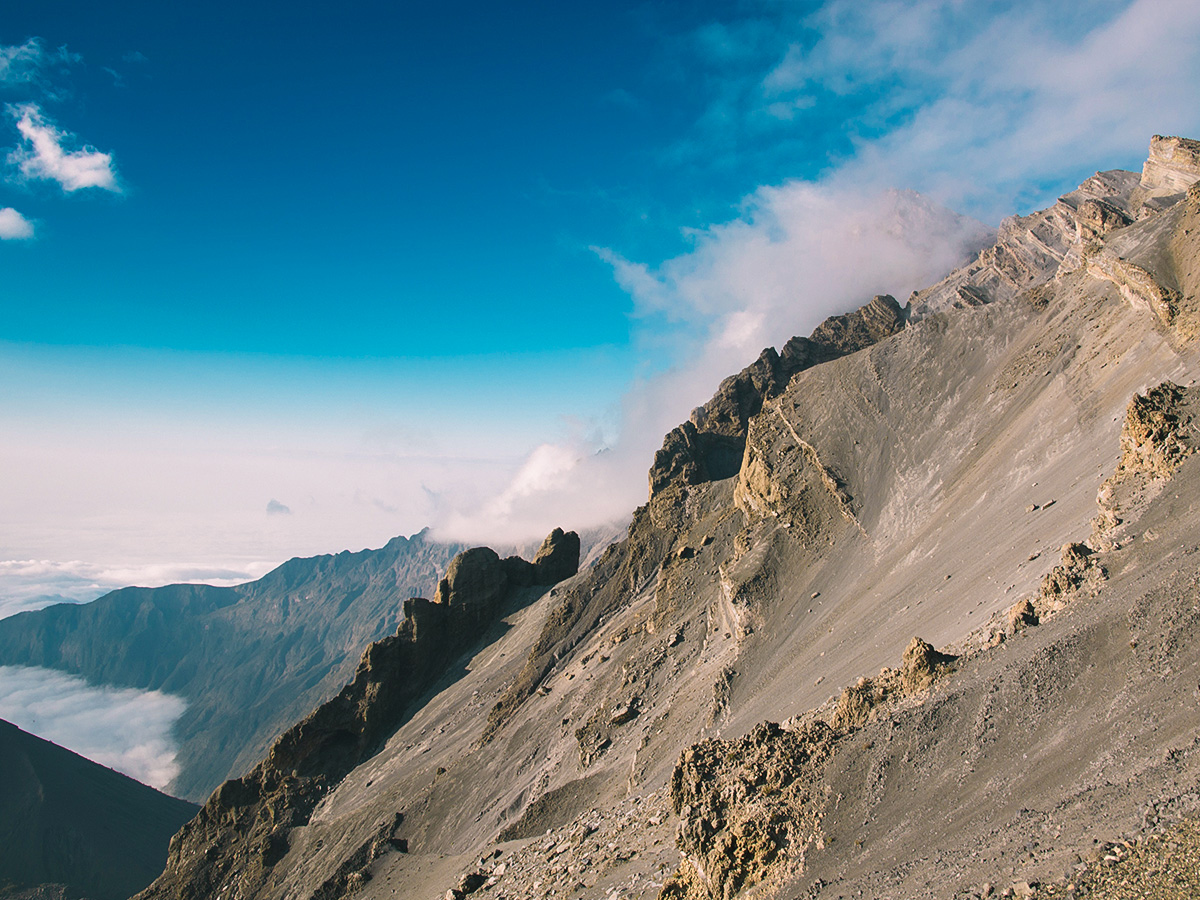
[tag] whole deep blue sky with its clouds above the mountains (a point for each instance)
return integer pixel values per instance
(289, 281)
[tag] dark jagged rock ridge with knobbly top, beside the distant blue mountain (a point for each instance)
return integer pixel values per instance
(242, 833)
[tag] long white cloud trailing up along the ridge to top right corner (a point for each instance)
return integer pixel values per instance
(981, 106)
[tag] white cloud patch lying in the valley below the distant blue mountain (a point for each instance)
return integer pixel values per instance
(121, 728)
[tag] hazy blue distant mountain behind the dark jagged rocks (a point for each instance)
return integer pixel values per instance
(250, 661)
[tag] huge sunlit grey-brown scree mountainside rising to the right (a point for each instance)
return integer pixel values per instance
(953, 553)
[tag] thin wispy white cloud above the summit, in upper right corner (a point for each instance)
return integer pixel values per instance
(974, 103)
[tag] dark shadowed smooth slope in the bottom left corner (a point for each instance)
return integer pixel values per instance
(76, 829)
